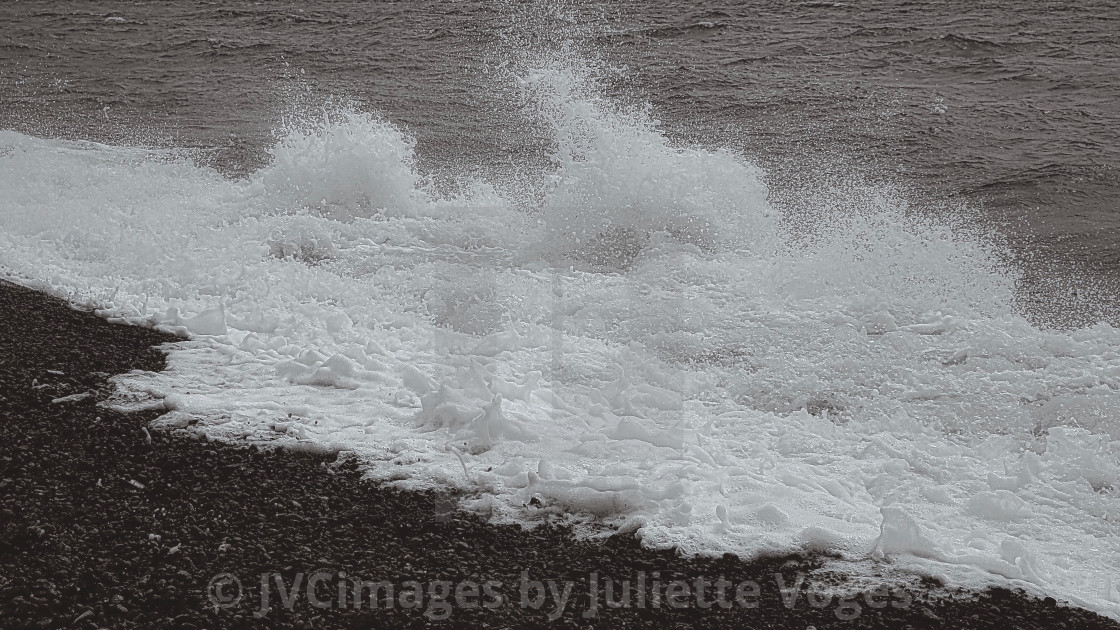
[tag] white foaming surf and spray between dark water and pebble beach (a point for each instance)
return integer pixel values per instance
(649, 345)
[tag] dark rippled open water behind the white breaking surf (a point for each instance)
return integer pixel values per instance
(1010, 108)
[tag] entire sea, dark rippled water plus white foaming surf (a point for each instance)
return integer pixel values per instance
(809, 276)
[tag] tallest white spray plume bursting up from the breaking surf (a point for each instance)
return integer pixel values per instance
(619, 182)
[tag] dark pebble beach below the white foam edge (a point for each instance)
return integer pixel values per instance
(102, 529)
